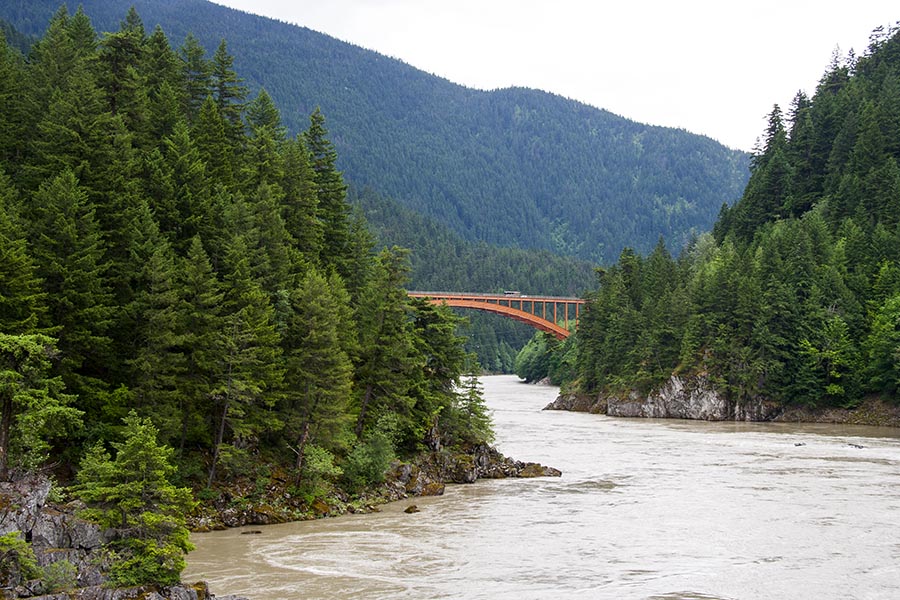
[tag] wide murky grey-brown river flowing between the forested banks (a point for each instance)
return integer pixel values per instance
(648, 509)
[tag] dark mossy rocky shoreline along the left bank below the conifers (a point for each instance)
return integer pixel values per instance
(58, 536)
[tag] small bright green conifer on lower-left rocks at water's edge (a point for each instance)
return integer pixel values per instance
(133, 494)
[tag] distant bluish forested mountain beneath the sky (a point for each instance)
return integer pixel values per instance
(513, 167)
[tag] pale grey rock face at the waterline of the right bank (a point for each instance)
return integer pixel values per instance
(691, 397)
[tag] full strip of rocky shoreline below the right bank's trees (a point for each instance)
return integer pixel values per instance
(695, 397)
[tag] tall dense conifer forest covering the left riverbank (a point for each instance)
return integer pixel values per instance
(187, 297)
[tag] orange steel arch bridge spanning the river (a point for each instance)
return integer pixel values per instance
(541, 312)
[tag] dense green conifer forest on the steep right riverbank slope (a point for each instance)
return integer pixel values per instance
(795, 295)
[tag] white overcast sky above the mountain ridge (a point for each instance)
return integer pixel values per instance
(713, 67)
